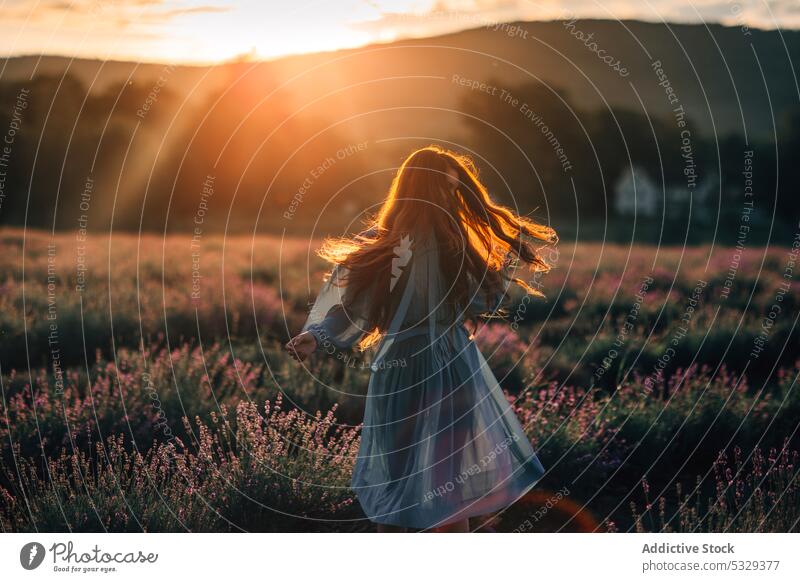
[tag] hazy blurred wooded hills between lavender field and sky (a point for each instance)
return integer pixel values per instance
(147, 134)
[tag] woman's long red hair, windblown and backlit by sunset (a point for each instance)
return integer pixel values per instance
(466, 222)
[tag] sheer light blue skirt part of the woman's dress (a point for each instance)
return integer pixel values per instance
(440, 441)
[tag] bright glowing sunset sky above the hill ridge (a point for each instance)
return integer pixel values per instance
(210, 31)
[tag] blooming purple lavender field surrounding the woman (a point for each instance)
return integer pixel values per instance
(144, 388)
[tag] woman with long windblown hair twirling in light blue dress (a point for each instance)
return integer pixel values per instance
(440, 442)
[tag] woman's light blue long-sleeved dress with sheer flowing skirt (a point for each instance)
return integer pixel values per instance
(440, 442)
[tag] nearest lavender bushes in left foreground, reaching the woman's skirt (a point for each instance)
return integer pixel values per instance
(267, 470)
